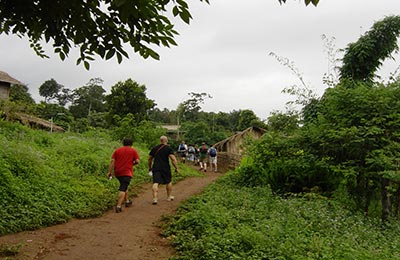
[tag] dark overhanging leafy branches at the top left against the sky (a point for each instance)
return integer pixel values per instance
(97, 27)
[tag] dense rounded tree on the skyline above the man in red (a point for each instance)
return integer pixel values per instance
(129, 97)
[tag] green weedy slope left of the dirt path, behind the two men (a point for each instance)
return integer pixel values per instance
(49, 178)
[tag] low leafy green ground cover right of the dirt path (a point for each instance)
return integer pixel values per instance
(230, 221)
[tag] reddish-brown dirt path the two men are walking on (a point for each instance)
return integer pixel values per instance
(133, 234)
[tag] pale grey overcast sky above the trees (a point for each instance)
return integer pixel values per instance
(223, 52)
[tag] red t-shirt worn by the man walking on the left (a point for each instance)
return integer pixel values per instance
(124, 158)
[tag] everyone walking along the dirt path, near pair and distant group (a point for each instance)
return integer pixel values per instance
(126, 157)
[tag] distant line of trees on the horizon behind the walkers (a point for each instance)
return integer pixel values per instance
(127, 108)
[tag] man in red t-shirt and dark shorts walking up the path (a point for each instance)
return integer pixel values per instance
(122, 161)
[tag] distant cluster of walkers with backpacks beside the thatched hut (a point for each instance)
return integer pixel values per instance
(198, 155)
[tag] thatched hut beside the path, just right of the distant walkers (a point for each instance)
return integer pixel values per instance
(230, 150)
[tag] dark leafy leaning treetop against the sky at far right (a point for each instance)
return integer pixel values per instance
(364, 57)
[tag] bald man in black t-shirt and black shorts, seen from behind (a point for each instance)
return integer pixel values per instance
(158, 161)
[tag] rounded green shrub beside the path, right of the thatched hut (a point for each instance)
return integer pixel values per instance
(282, 163)
